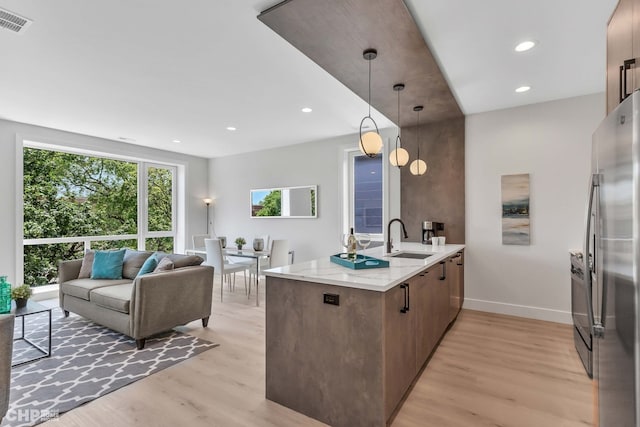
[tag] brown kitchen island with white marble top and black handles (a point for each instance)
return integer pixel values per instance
(343, 346)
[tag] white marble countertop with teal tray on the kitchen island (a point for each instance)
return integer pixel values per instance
(375, 279)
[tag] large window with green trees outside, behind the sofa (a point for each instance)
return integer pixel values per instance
(74, 202)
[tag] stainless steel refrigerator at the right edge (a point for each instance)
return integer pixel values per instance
(612, 251)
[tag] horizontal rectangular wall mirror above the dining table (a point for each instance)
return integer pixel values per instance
(285, 202)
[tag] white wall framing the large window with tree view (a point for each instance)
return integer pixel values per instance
(194, 176)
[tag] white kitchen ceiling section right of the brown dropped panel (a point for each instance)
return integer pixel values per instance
(474, 42)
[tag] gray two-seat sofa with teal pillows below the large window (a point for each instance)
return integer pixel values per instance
(140, 306)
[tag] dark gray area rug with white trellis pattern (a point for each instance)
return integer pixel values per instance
(87, 361)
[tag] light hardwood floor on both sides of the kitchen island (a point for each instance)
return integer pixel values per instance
(489, 370)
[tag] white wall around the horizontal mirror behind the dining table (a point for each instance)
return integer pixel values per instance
(316, 163)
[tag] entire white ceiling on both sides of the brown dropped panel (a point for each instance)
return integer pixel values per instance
(154, 71)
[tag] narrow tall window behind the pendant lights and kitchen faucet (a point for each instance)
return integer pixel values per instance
(365, 194)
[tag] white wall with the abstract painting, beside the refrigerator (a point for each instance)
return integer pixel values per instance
(552, 142)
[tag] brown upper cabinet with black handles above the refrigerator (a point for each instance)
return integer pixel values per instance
(623, 50)
